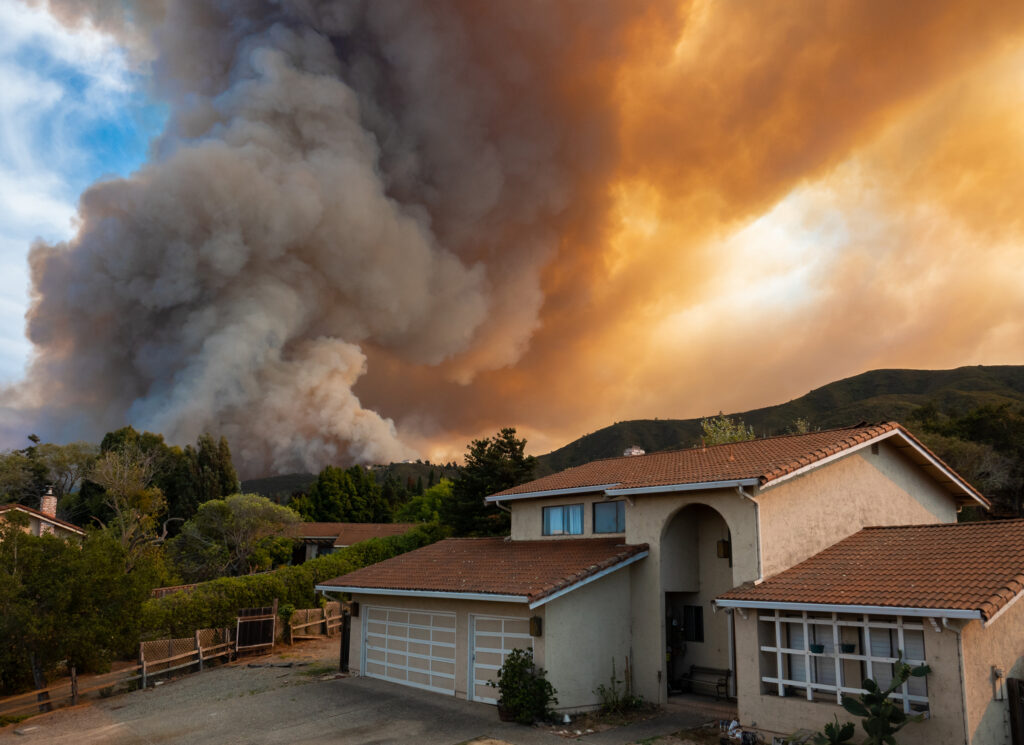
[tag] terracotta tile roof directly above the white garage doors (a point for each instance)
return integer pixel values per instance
(493, 566)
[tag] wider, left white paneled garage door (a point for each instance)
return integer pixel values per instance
(410, 647)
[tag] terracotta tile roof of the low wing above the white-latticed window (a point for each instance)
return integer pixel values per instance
(965, 566)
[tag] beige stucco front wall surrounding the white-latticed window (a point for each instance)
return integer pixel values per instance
(771, 714)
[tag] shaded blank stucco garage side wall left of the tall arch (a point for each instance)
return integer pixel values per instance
(585, 631)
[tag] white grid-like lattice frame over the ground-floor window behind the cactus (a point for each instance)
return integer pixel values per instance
(779, 624)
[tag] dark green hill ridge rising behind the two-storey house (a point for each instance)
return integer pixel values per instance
(874, 397)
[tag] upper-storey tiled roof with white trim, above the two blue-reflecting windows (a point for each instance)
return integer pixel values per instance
(762, 463)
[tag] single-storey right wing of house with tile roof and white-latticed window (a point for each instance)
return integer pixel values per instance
(946, 595)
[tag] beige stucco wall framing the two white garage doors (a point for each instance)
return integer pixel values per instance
(463, 610)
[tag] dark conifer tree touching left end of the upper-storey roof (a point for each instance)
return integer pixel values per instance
(493, 465)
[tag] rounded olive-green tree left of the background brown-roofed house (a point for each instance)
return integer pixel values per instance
(240, 535)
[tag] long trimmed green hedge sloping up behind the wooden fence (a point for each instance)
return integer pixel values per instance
(216, 604)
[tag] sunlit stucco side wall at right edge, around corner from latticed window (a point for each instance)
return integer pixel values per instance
(1001, 645)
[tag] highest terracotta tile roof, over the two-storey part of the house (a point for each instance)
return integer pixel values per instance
(766, 460)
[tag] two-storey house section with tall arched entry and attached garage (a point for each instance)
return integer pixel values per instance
(662, 536)
